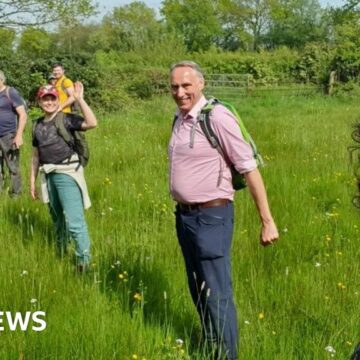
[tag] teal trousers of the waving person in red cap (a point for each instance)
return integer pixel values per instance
(67, 212)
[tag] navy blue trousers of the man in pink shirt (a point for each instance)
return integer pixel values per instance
(205, 237)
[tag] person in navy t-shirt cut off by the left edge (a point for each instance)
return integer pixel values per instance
(12, 124)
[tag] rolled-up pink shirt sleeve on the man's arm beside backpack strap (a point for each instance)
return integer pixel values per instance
(236, 149)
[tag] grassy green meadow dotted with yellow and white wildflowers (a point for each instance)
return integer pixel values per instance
(294, 299)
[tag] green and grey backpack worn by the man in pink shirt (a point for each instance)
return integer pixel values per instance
(238, 180)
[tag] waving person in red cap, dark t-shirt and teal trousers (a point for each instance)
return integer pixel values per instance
(63, 184)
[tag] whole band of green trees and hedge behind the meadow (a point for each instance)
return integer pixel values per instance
(126, 54)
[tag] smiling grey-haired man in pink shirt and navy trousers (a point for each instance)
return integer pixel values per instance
(200, 183)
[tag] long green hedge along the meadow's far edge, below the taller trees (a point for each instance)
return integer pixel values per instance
(114, 79)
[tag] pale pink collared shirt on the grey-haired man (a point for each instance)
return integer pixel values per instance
(199, 174)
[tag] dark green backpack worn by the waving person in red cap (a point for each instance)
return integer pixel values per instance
(75, 139)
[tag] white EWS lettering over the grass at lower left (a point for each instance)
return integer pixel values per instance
(22, 321)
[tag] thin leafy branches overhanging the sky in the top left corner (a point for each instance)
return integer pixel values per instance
(17, 13)
